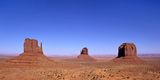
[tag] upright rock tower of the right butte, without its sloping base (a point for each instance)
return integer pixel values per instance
(127, 50)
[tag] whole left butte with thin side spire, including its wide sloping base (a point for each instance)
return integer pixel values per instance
(33, 54)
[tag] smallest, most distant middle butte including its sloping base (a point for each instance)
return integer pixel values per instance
(84, 56)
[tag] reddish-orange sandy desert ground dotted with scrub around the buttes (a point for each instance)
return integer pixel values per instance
(66, 68)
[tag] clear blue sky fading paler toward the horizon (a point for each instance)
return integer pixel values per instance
(66, 26)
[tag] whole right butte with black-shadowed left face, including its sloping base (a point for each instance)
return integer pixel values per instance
(127, 52)
